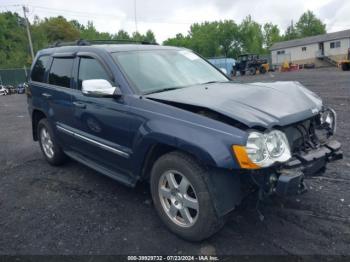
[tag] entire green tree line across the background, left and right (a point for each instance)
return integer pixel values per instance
(210, 39)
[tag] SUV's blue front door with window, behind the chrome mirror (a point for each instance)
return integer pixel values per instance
(102, 124)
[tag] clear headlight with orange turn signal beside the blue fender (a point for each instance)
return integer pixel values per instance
(263, 150)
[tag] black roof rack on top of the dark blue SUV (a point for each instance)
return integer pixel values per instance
(83, 42)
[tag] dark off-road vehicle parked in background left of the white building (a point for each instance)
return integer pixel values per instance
(250, 63)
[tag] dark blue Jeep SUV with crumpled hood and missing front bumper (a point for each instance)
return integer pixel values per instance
(137, 112)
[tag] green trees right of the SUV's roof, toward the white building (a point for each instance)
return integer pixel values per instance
(230, 39)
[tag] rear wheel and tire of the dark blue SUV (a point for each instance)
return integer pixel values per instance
(48, 144)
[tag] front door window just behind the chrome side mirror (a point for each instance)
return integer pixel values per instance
(90, 68)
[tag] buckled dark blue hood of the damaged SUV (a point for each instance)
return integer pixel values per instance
(255, 104)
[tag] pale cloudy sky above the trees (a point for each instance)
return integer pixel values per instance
(166, 18)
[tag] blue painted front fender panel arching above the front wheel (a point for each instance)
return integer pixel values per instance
(208, 140)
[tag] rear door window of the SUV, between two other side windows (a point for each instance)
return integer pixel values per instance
(61, 72)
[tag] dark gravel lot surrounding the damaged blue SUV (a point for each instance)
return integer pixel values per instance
(74, 210)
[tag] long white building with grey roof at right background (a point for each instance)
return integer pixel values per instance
(317, 50)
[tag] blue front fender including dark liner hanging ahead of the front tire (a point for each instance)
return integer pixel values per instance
(209, 141)
